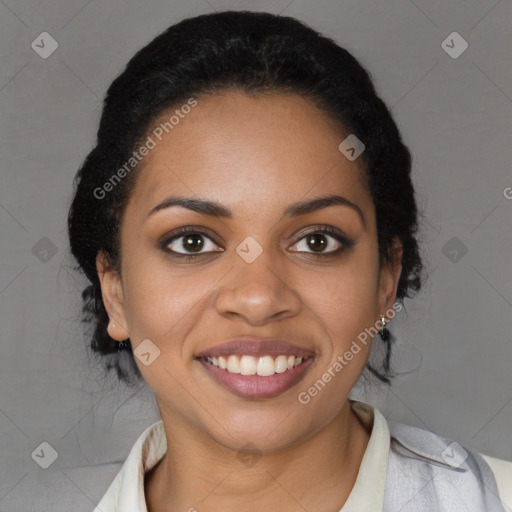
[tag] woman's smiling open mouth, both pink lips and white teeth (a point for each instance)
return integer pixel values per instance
(256, 368)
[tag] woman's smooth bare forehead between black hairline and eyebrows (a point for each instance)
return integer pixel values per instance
(239, 149)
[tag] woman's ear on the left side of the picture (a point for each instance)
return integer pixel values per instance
(113, 298)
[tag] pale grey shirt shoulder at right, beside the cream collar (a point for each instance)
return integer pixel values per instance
(424, 466)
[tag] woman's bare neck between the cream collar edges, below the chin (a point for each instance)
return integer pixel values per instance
(197, 473)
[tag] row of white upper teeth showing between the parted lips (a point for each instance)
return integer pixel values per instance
(263, 366)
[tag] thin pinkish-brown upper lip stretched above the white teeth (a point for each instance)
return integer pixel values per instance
(256, 347)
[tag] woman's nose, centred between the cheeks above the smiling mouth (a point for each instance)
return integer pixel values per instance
(258, 293)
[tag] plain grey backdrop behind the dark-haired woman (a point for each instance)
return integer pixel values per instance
(454, 342)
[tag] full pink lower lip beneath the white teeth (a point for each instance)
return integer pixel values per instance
(255, 386)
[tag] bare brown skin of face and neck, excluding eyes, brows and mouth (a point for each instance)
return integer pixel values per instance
(255, 155)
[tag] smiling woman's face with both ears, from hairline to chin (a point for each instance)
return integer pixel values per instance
(224, 239)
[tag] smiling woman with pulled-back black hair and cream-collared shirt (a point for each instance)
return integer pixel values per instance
(247, 221)
